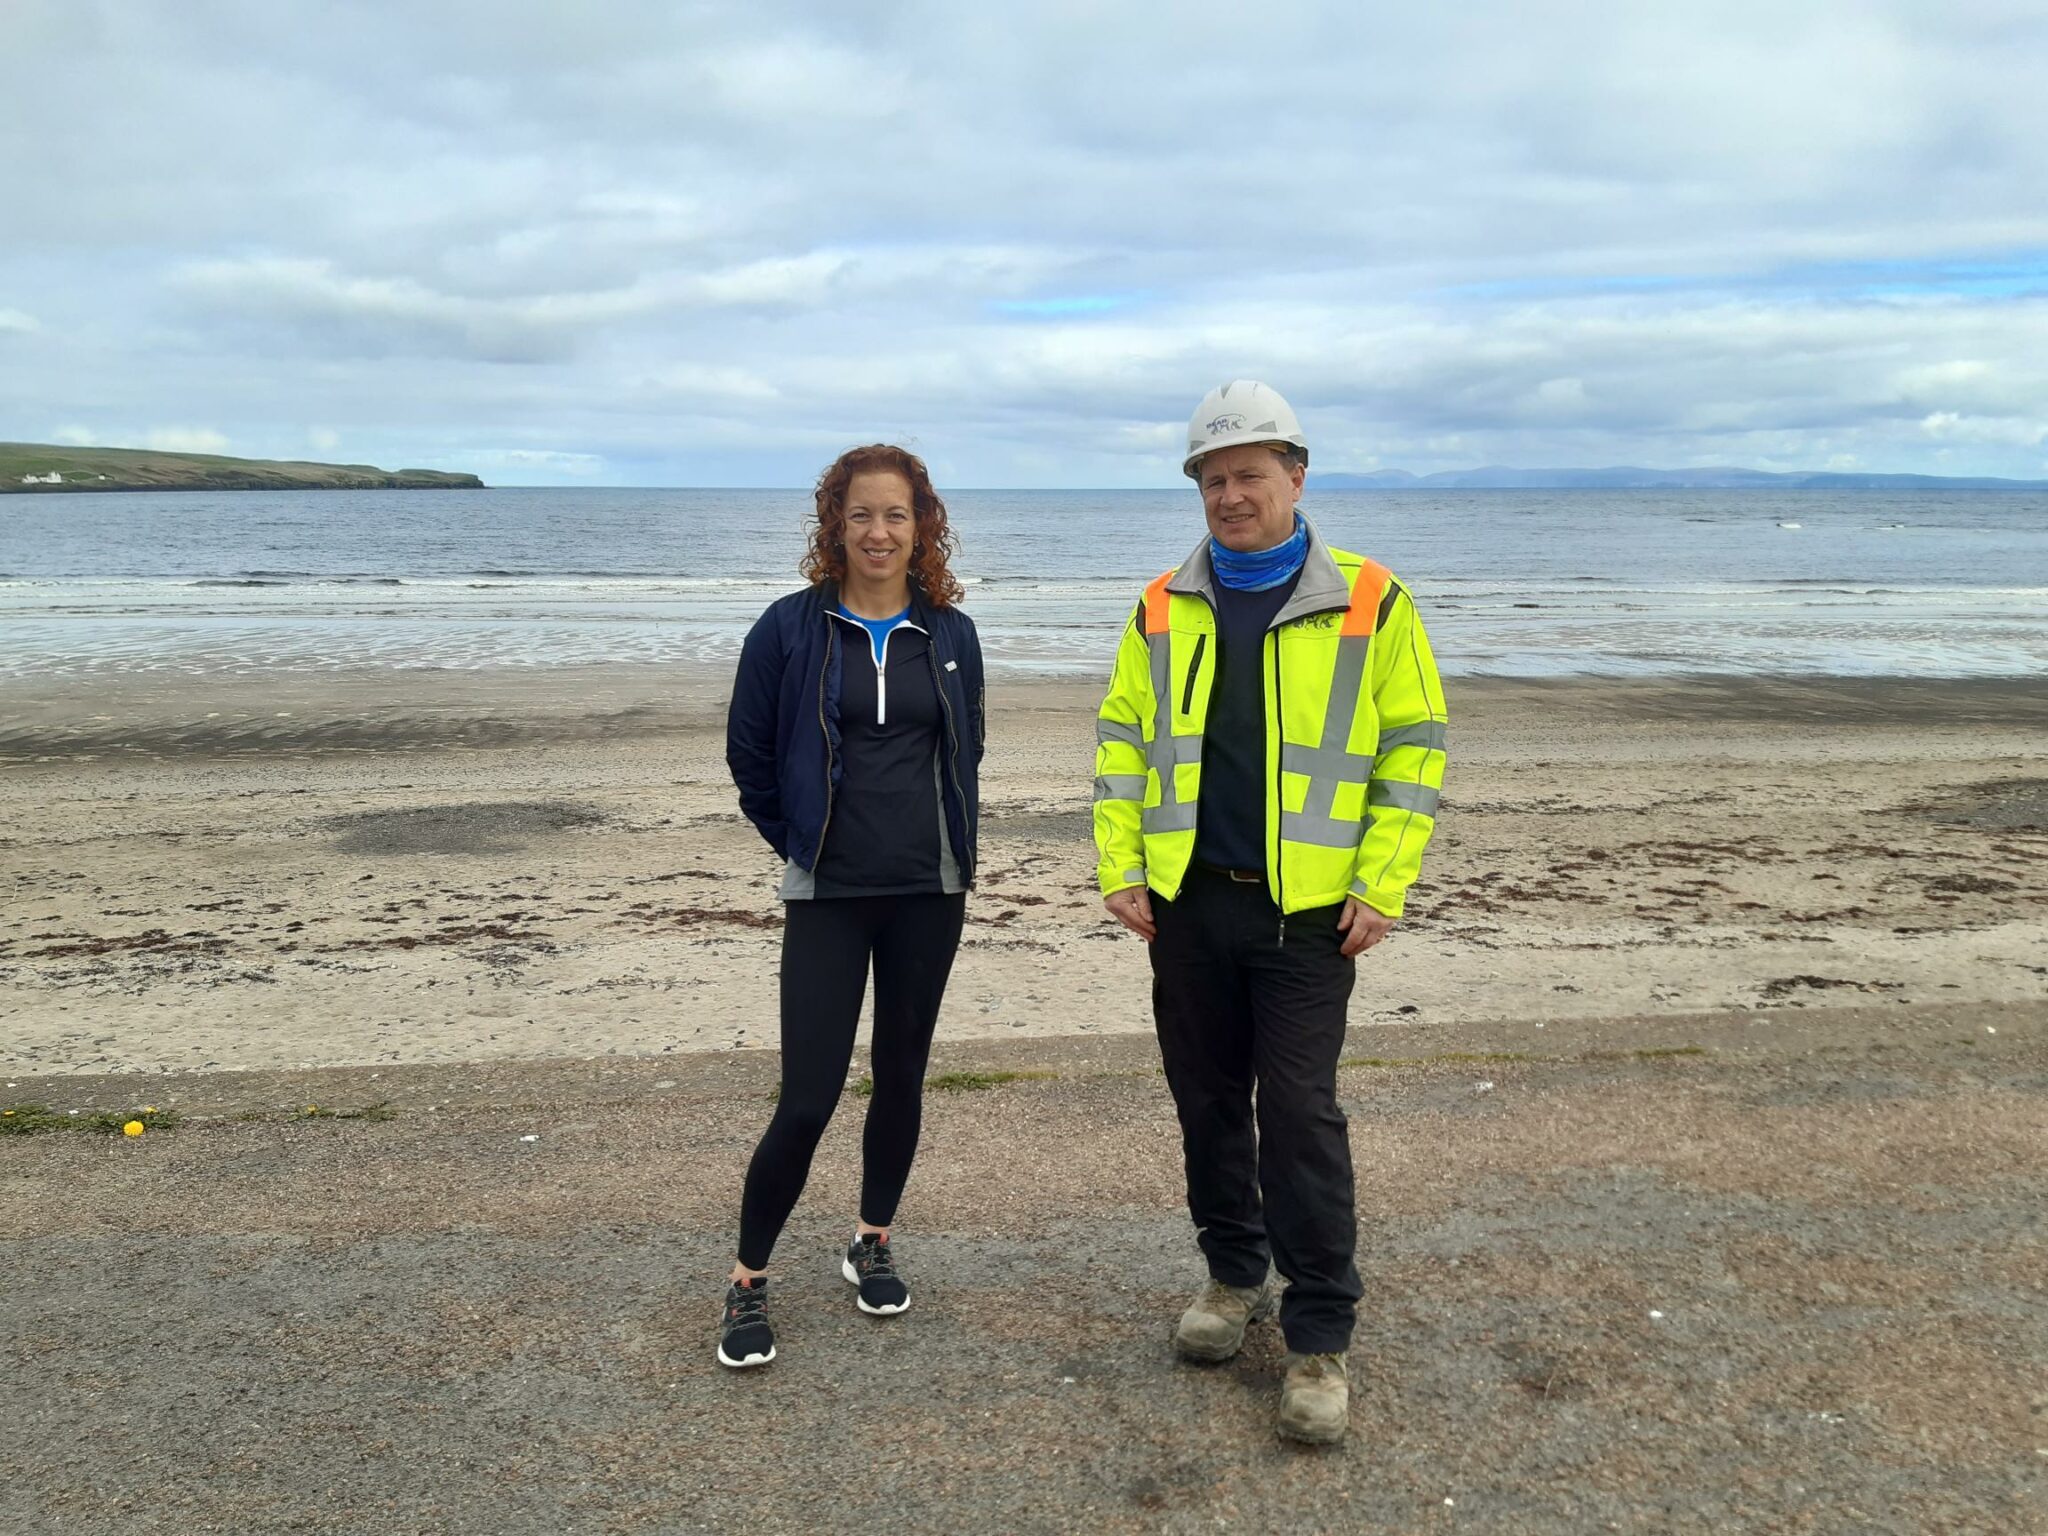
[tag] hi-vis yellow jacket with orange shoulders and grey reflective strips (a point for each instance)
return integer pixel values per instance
(1355, 736)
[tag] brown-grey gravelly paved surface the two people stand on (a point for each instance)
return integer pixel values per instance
(1789, 1281)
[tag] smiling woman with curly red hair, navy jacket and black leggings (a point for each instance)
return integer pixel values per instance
(855, 736)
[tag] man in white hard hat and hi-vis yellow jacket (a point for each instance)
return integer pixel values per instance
(1267, 777)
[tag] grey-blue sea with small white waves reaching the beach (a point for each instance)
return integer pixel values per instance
(1523, 585)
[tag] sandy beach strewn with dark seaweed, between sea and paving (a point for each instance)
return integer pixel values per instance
(417, 867)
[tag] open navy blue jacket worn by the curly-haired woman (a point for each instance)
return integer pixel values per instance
(783, 726)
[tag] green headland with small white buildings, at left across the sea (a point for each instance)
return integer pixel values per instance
(48, 468)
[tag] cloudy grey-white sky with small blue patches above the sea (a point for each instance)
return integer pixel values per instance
(712, 245)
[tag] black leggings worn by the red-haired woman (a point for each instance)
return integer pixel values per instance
(826, 951)
